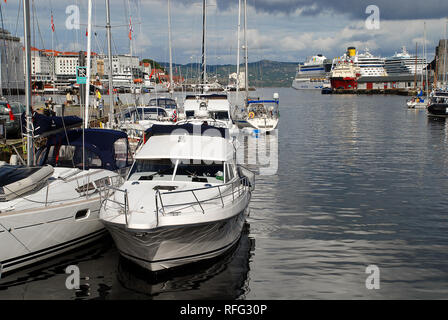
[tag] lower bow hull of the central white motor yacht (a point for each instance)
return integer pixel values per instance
(174, 246)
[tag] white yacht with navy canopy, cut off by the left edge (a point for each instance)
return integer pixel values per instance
(54, 207)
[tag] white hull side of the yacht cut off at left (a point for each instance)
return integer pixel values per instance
(32, 236)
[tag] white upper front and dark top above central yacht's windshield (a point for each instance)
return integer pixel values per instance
(187, 142)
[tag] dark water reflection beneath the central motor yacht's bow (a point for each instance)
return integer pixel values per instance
(223, 278)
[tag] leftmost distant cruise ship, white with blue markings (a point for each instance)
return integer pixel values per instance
(312, 74)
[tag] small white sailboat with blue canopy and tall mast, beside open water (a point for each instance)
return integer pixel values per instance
(259, 114)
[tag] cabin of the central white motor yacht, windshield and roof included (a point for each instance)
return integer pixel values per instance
(186, 153)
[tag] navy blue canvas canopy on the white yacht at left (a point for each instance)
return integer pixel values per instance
(104, 148)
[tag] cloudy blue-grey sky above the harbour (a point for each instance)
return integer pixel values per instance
(280, 30)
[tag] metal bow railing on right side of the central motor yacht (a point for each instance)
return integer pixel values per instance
(226, 194)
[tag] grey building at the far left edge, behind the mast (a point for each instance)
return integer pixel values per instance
(11, 63)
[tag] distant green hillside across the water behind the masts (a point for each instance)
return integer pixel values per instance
(264, 73)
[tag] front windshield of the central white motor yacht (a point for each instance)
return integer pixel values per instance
(184, 170)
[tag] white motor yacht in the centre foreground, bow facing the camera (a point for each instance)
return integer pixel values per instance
(184, 200)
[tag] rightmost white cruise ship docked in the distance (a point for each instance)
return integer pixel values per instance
(404, 64)
